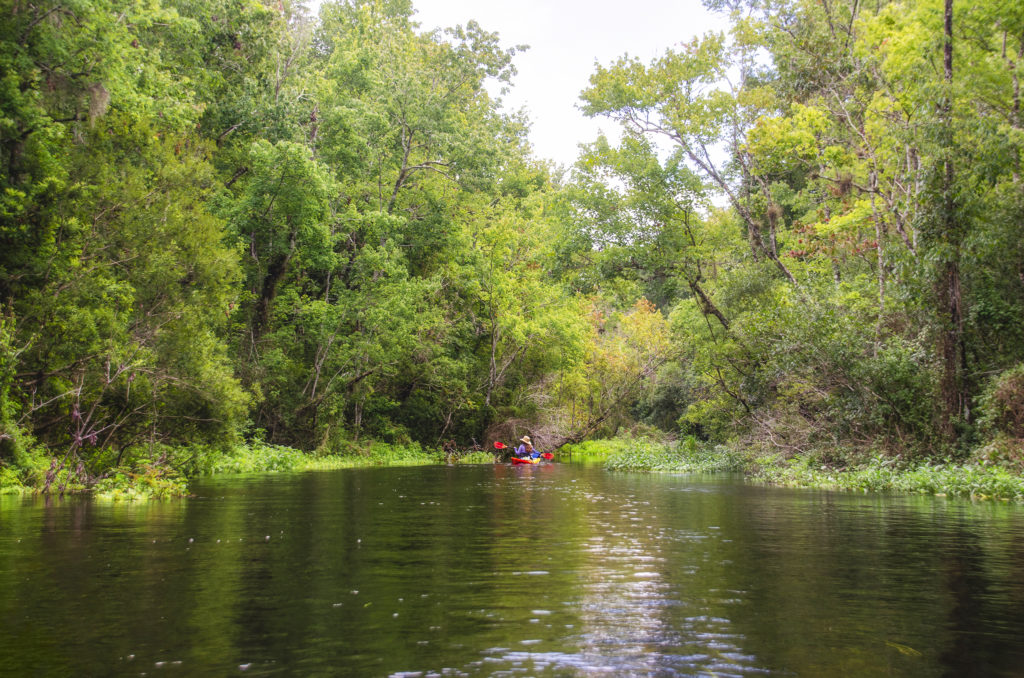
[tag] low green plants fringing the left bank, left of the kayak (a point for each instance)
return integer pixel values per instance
(167, 475)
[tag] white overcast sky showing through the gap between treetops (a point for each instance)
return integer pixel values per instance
(566, 38)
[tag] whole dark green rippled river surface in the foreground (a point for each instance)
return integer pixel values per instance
(547, 571)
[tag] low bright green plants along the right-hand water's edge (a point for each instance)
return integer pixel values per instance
(874, 475)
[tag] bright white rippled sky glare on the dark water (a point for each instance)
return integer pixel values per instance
(634, 613)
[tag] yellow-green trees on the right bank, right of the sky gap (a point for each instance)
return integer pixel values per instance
(863, 273)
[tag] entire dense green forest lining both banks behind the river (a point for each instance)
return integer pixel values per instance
(228, 221)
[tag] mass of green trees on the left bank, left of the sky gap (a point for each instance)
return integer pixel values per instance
(220, 216)
